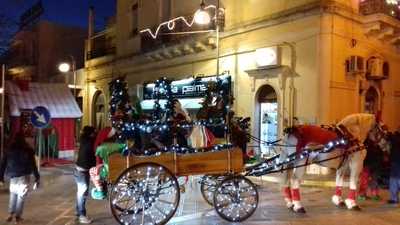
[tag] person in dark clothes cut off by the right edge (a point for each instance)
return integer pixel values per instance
(394, 183)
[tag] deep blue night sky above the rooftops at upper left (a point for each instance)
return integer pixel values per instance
(67, 12)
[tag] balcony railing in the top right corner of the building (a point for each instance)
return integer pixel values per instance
(368, 7)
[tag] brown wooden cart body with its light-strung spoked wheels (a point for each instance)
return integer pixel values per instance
(147, 191)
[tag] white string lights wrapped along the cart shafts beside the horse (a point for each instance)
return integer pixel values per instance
(274, 164)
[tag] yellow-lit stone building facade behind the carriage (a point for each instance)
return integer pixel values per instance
(307, 61)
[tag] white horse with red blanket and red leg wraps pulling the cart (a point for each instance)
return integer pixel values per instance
(359, 127)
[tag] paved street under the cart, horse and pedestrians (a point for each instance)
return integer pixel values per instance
(53, 205)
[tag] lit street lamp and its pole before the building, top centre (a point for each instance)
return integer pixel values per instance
(202, 17)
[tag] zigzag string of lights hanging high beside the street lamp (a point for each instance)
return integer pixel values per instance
(170, 24)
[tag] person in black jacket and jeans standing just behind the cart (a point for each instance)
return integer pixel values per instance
(86, 159)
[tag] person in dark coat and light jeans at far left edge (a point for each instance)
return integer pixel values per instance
(19, 163)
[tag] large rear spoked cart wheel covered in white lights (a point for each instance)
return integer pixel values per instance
(146, 193)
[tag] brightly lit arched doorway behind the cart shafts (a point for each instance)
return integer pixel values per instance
(268, 116)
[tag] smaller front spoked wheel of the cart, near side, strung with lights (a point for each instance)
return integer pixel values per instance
(236, 199)
